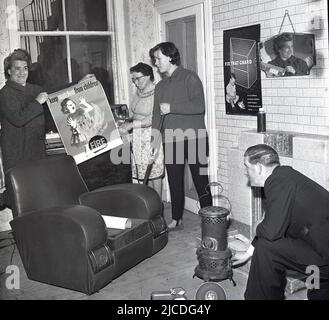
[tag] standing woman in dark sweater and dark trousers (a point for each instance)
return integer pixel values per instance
(179, 97)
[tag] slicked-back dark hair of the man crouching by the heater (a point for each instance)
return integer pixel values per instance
(262, 153)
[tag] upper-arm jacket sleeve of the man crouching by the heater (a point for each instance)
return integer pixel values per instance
(280, 195)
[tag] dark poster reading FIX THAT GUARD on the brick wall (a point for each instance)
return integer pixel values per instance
(242, 80)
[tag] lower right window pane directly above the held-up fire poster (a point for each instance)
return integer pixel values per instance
(93, 55)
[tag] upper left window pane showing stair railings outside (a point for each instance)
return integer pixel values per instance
(40, 15)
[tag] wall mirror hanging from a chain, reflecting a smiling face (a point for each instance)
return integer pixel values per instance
(288, 54)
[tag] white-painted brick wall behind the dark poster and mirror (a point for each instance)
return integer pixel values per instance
(296, 104)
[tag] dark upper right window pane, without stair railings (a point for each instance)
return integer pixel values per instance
(86, 15)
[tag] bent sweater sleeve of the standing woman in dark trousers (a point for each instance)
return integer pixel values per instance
(195, 102)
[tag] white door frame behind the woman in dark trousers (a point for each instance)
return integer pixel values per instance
(165, 7)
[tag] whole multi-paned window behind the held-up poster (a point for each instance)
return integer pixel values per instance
(67, 39)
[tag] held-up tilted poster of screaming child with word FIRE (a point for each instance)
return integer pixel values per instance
(84, 120)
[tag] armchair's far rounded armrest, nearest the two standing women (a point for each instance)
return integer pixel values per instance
(124, 200)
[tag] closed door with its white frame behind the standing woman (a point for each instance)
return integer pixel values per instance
(190, 29)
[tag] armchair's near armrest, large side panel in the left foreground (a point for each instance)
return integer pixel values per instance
(65, 246)
